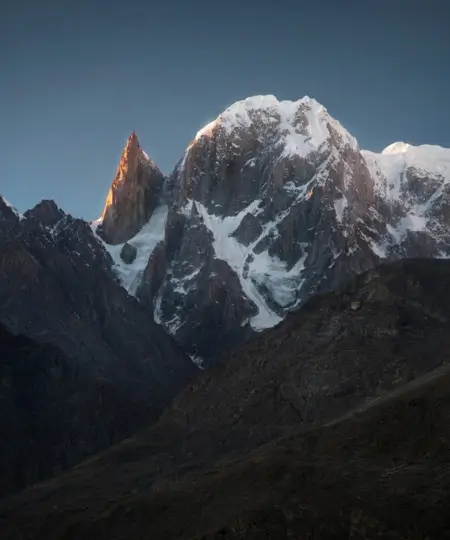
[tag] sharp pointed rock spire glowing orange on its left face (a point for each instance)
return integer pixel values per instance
(133, 194)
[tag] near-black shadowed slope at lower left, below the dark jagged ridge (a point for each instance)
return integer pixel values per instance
(53, 412)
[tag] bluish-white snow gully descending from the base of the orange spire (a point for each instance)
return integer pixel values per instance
(145, 242)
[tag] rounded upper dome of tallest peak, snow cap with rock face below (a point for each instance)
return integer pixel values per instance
(254, 148)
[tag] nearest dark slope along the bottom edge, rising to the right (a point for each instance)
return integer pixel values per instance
(368, 476)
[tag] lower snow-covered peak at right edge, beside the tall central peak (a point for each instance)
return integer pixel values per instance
(413, 191)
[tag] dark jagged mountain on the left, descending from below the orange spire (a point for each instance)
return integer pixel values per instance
(57, 287)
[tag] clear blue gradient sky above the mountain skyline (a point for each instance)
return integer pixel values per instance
(76, 77)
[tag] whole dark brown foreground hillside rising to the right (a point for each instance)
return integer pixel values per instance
(333, 424)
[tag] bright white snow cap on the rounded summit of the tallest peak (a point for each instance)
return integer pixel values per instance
(284, 115)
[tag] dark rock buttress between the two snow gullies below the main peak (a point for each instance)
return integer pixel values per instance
(203, 298)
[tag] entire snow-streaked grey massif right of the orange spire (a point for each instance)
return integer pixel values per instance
(270, 204)
